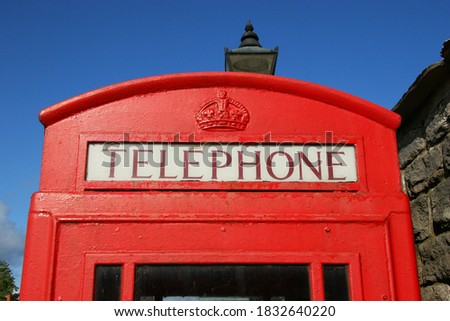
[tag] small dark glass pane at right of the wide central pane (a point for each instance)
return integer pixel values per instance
(335, 278)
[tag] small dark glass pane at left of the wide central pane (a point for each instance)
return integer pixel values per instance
(108, 279)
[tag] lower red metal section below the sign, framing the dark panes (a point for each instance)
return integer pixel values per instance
(347, 234)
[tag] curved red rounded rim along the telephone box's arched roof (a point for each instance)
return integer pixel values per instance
(154, 84)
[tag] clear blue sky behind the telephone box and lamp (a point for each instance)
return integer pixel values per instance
(52, 50)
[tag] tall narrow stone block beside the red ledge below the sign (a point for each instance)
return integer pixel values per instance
(421, 216)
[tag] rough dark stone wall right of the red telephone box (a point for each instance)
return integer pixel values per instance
(424, 154)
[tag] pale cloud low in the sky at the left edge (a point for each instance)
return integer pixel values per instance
(12, 242)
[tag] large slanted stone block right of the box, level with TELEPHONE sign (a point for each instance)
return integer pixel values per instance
(424, 171)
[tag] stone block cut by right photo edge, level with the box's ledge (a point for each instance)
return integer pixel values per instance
(440, 205)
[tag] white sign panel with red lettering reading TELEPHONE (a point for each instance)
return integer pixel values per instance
(214, 162)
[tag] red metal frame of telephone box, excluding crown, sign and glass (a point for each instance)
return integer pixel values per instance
(75, 224)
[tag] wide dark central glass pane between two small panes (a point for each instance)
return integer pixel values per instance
(222, 282)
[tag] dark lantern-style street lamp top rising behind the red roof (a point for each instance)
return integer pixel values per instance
(251, 56)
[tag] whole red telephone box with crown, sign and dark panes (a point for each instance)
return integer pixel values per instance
(219, 185)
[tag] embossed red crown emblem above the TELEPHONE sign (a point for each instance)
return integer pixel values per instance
(222, 113)
